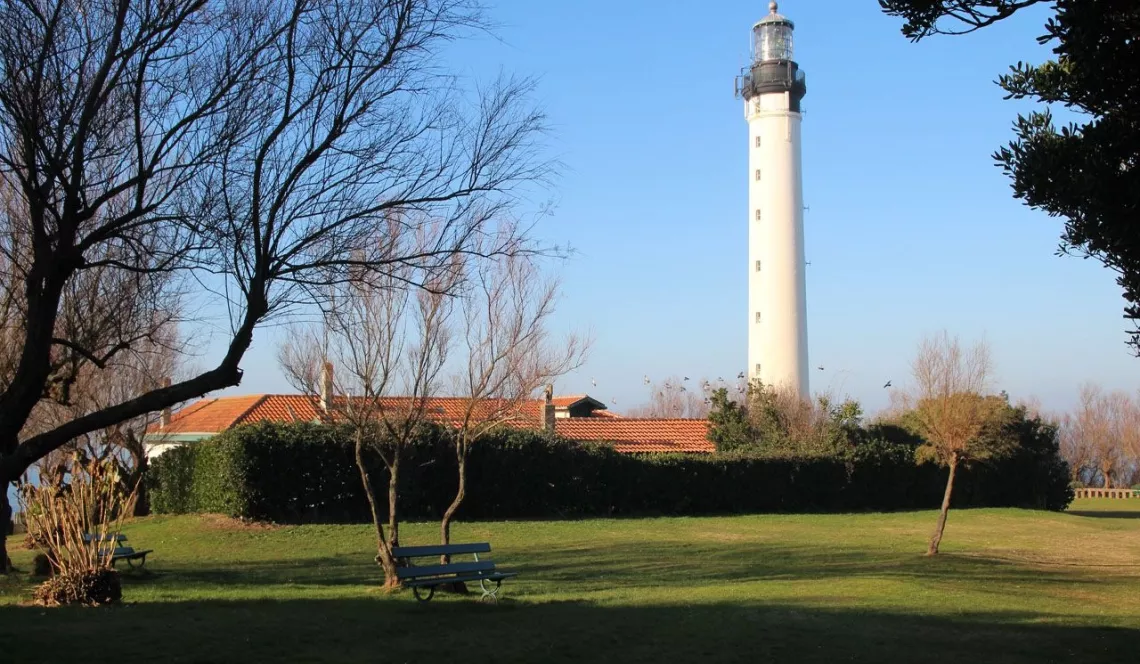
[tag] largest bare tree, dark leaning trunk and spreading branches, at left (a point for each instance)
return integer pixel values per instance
(250, 149)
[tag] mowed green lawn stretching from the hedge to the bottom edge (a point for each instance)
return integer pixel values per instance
(1011, 586)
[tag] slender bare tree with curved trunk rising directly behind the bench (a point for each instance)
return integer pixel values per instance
(510, 357)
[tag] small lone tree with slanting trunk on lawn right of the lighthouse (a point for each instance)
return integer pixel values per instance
(950, 409)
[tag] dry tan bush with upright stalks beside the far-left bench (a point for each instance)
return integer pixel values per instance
(61, 517)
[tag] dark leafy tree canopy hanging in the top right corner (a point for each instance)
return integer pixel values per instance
(1086, 173)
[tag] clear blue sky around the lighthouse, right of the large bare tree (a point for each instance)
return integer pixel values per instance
(910, 230)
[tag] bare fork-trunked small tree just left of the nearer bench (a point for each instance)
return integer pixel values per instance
(384, 341)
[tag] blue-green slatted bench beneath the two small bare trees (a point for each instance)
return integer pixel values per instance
(425, 579)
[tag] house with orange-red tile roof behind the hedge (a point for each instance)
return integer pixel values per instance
(577, 418)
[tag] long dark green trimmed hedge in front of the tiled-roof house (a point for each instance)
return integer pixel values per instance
(306, 474)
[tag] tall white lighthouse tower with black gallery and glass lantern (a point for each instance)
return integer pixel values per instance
(772, 87)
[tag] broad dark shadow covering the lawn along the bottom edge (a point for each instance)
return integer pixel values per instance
(398, 629)
